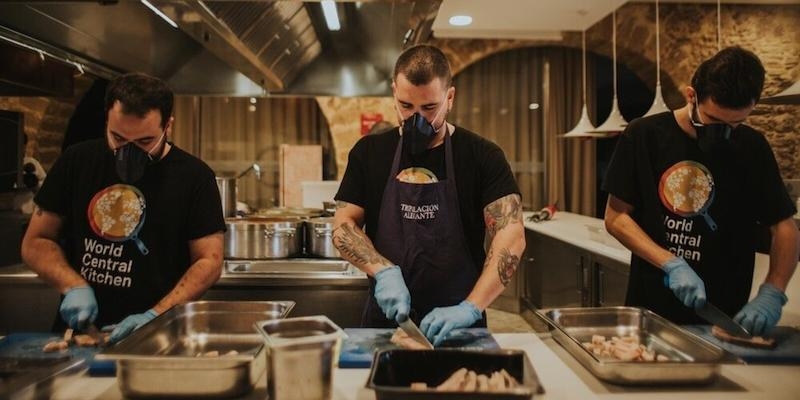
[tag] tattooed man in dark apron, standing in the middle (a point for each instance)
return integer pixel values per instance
(431, 195)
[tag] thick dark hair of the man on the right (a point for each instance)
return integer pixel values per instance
(733, 78)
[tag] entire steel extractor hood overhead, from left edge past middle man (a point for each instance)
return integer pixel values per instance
(232, 48)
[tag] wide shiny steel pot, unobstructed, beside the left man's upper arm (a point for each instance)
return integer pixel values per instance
(263, 238)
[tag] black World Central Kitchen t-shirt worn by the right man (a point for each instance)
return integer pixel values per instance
(679, 192)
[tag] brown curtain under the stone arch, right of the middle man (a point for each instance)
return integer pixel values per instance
(522, 100)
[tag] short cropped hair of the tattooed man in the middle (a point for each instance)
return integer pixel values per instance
(421, 64)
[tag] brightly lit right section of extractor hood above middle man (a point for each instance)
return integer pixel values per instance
(286, 47)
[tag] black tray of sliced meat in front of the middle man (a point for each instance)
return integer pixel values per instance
(393, 371)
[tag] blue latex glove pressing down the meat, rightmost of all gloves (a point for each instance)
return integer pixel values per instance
(762, 313)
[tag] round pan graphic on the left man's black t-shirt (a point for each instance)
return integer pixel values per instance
(117, 213)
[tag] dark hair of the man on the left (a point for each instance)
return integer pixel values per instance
(139, 94)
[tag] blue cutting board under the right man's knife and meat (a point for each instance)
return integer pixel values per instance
(787, 350)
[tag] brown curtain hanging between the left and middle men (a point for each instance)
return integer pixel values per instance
(231, 134)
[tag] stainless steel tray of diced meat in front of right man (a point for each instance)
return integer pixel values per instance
(691, 359)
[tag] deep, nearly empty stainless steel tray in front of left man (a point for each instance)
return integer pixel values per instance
(167, 357)
